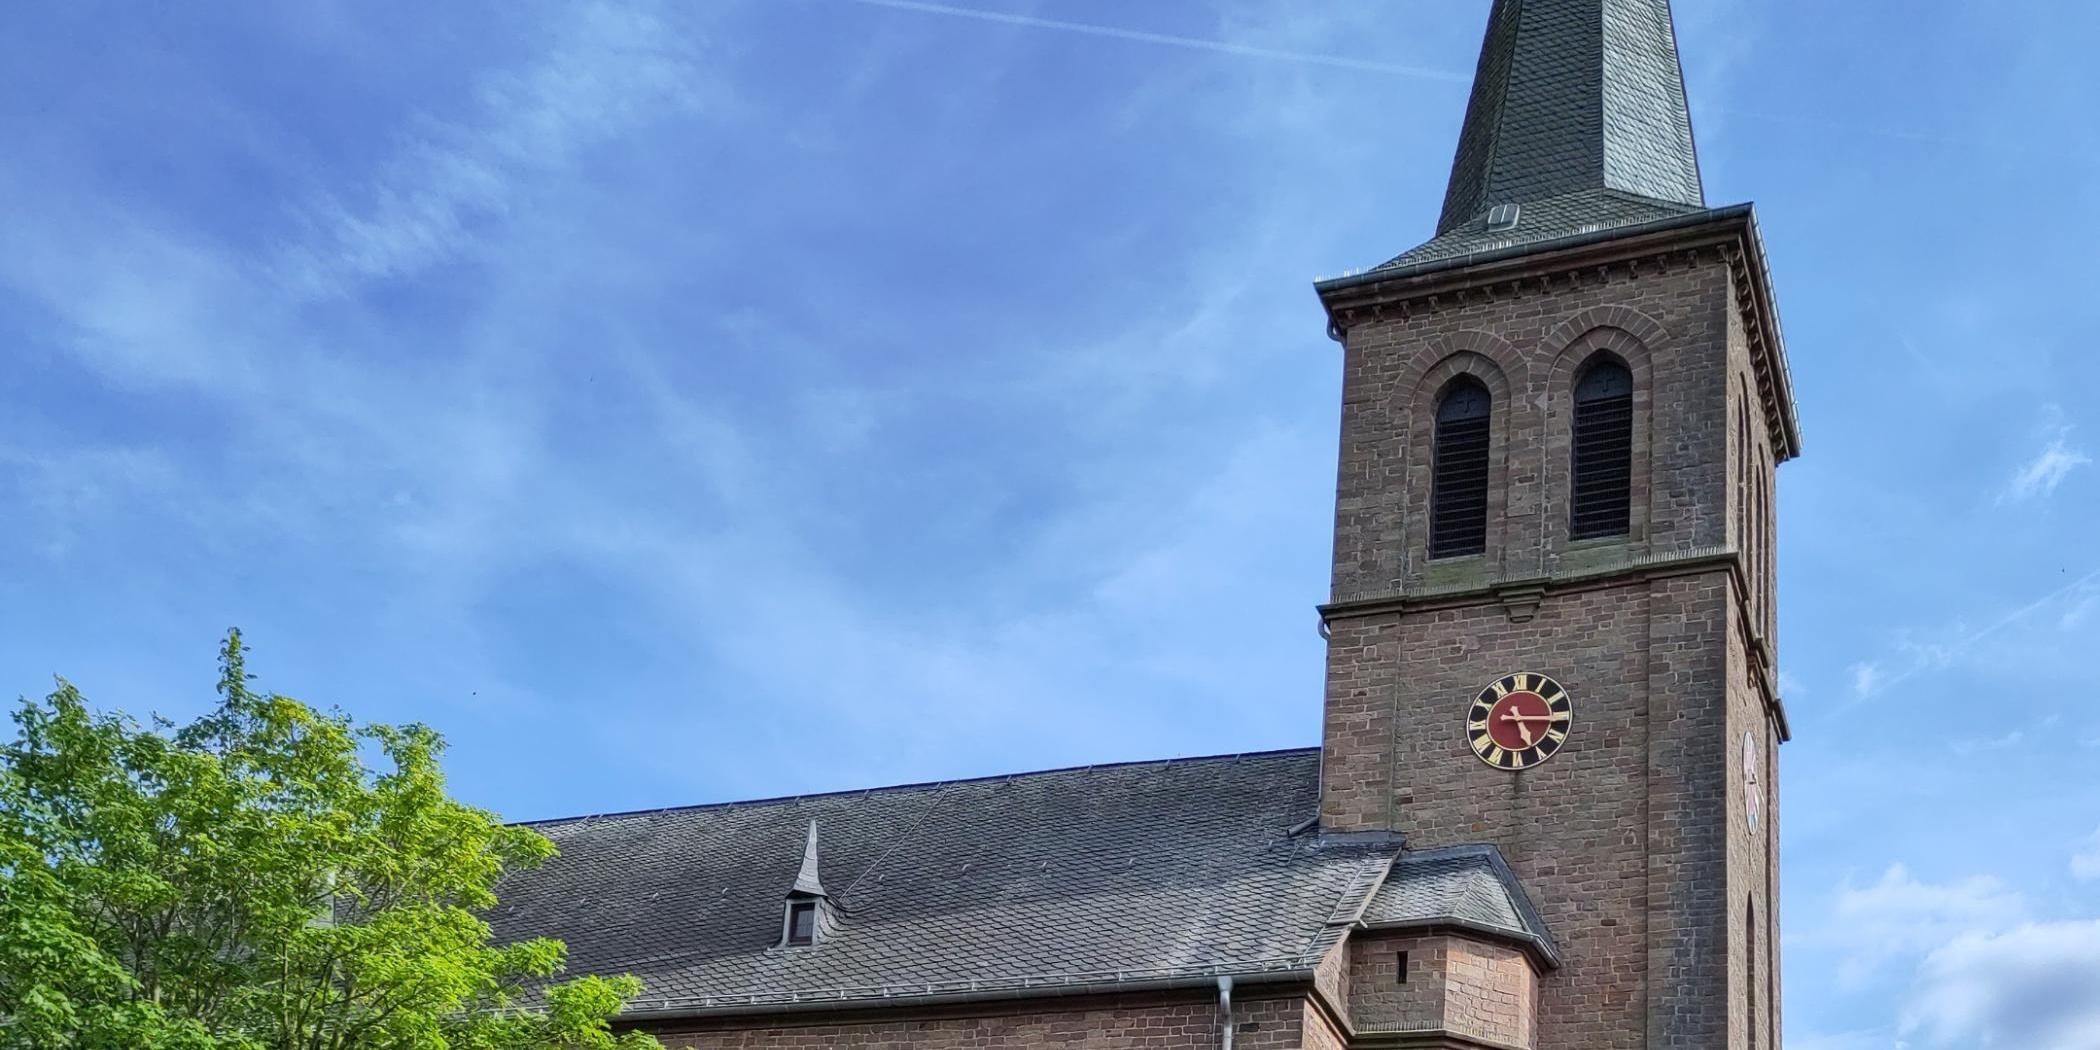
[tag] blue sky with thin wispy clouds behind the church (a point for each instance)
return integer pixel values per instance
(757, 398)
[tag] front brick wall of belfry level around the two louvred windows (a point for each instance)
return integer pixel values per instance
(1671, 329)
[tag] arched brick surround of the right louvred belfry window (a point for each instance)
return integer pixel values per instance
(1572, 362)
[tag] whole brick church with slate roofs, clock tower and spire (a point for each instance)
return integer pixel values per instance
(1542, 814)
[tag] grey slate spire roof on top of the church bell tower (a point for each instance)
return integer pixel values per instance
(1578, 121)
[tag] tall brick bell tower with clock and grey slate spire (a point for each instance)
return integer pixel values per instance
(1553, 614)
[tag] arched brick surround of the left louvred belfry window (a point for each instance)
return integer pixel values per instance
(1482, 358)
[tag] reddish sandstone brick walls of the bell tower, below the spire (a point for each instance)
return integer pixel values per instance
(1633, 839)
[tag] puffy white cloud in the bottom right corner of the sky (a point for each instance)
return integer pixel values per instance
(2032, 988)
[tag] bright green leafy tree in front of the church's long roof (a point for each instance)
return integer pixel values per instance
(266, 879)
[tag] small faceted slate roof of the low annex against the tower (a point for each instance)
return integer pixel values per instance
(1465, 887)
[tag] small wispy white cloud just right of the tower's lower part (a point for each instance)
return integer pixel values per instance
(1904, 917)
